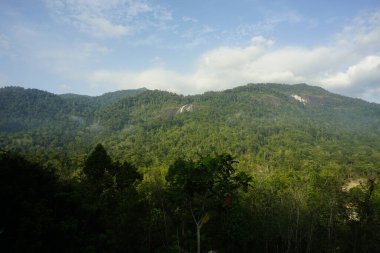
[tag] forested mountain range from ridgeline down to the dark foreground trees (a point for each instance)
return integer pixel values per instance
(266, 126)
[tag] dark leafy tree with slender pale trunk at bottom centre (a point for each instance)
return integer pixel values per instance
(199, 189)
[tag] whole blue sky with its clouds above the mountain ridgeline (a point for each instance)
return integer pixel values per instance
(189, 47)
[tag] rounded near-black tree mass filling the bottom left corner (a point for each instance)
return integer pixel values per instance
(40, 213)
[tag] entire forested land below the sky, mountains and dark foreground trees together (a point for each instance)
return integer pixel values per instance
(258, 168)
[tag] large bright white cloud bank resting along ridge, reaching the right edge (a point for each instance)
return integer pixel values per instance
(350, 64)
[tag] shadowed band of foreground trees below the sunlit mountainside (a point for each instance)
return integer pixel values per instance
(286, 211)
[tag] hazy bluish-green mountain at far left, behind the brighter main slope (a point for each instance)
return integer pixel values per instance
(25, 109)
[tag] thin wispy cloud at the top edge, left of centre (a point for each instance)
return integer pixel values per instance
(111, 18)
